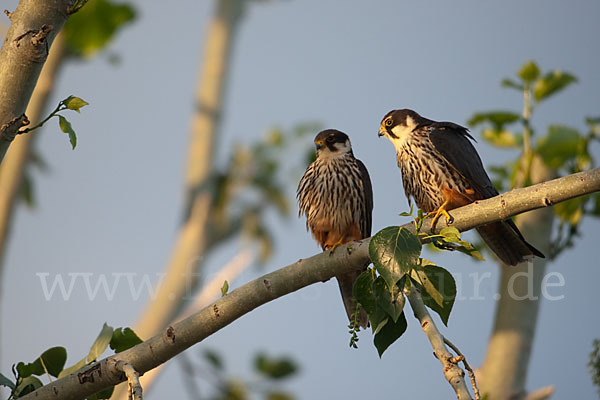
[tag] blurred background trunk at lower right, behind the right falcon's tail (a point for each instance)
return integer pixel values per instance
(504, 371)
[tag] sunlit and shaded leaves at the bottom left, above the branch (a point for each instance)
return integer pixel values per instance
(52, 363)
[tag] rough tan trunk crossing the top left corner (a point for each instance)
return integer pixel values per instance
(34, 24)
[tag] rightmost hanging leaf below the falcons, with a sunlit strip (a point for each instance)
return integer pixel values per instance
(439, 288)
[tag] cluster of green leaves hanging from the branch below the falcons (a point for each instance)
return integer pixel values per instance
(398, 268)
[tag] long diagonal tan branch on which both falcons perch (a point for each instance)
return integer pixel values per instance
(318, 268)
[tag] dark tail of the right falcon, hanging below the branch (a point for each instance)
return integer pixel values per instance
(505, 239)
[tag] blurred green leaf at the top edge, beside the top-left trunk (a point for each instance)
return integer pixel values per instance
(90, 29)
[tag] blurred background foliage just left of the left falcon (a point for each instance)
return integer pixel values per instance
(254, 180)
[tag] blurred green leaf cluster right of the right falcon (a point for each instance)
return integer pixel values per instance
(562, 149)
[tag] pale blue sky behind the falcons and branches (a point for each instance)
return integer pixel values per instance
(113, 205)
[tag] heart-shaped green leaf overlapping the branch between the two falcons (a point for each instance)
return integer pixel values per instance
(394, 250)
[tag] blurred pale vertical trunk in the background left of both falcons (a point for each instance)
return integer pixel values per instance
(190, 242)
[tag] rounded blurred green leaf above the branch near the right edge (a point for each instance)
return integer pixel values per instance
(560, 145)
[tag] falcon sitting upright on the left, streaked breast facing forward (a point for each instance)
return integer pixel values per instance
(336, 197)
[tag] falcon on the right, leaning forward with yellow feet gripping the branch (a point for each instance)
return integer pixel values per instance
(441, 170)
